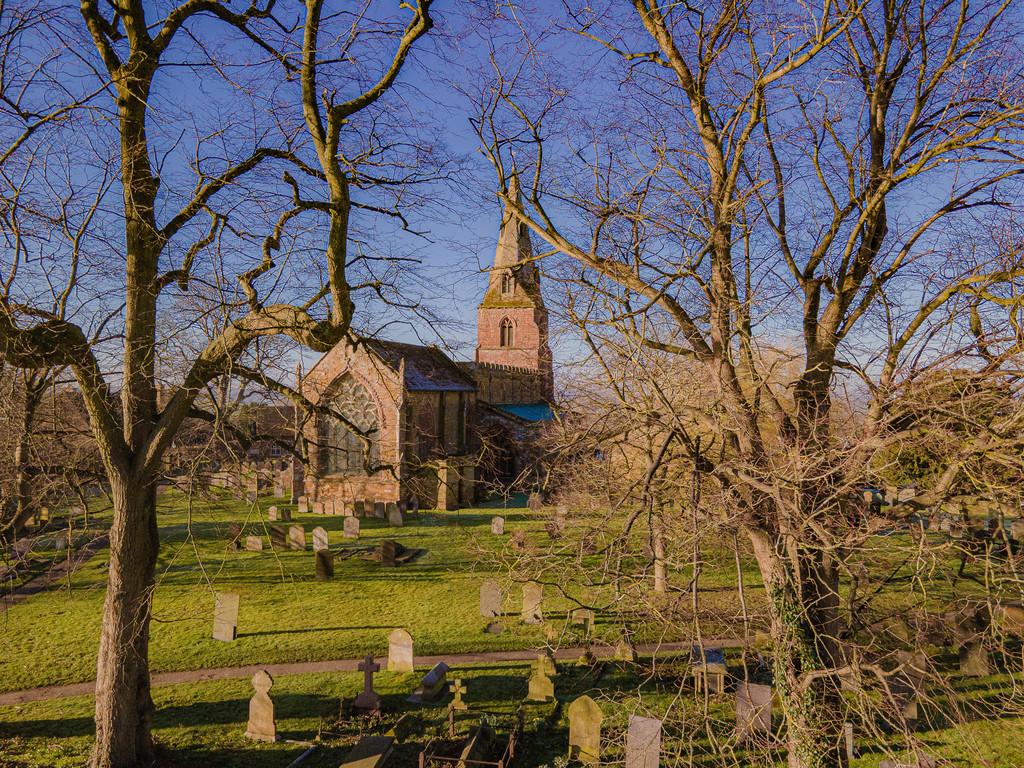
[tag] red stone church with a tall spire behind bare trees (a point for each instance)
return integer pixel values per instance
(429, 430)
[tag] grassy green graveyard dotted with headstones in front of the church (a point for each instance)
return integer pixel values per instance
(412, 663)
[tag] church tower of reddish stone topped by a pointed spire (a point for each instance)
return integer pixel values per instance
(513, 322)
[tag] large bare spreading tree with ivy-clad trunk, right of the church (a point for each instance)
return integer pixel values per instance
(814, 179)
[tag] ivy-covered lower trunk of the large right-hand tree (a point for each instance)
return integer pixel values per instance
(804, 617)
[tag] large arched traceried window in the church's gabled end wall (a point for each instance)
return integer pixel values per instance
(347, 453)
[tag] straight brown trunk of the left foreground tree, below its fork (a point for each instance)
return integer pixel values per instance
(124, 707)
